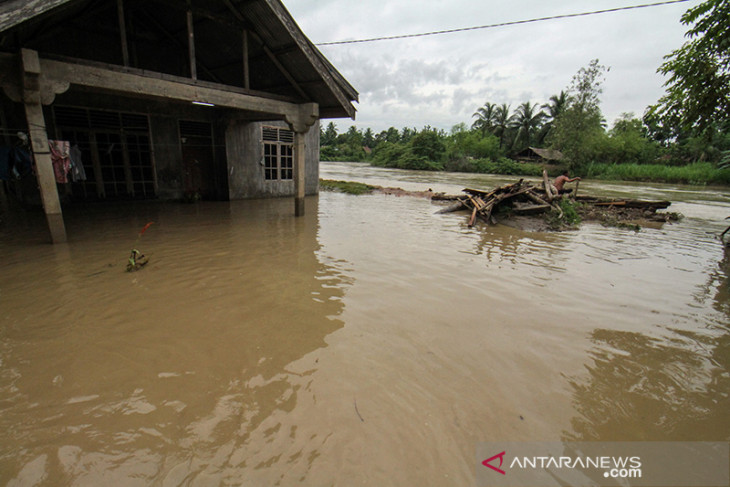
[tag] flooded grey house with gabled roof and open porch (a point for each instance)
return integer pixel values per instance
(212, 99)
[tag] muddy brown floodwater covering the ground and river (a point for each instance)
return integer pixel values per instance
(370, 342)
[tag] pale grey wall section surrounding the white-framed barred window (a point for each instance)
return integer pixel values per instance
(245, 152)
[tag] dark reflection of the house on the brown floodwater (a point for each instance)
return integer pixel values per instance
(109, 376)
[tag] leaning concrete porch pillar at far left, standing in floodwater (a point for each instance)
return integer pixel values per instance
(39, 145)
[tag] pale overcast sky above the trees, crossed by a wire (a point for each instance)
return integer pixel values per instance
(442, 80)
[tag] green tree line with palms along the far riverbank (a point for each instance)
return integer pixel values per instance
(689, 127)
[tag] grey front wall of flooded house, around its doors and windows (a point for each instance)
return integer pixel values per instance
(238, 172)
